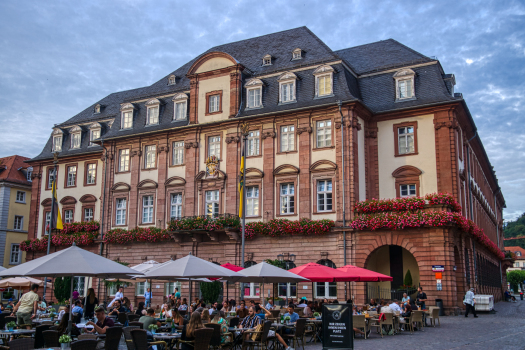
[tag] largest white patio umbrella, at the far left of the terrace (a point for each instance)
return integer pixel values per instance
(73, 261)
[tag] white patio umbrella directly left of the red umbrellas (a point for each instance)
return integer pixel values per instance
(267, 273)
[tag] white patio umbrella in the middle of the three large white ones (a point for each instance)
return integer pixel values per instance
(190, 267)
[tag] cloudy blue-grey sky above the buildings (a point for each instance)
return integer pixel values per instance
(58, 57)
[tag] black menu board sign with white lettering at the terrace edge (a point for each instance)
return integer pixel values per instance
(337, 326)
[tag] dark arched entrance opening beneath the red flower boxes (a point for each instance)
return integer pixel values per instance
(400, 264)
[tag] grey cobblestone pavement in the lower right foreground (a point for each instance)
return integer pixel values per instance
(503, 330)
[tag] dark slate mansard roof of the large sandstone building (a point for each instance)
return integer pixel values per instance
(363, 73)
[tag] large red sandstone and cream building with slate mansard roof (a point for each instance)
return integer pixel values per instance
(406, 133)
